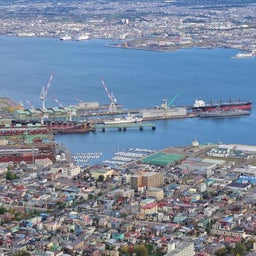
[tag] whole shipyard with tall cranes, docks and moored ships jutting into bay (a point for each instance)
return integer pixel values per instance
(28, 133)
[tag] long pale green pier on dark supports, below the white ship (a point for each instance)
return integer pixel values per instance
(125, 126)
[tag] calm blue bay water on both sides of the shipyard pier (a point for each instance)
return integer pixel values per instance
(137, 79)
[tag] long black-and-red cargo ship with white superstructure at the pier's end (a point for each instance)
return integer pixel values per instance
(200, 106)
